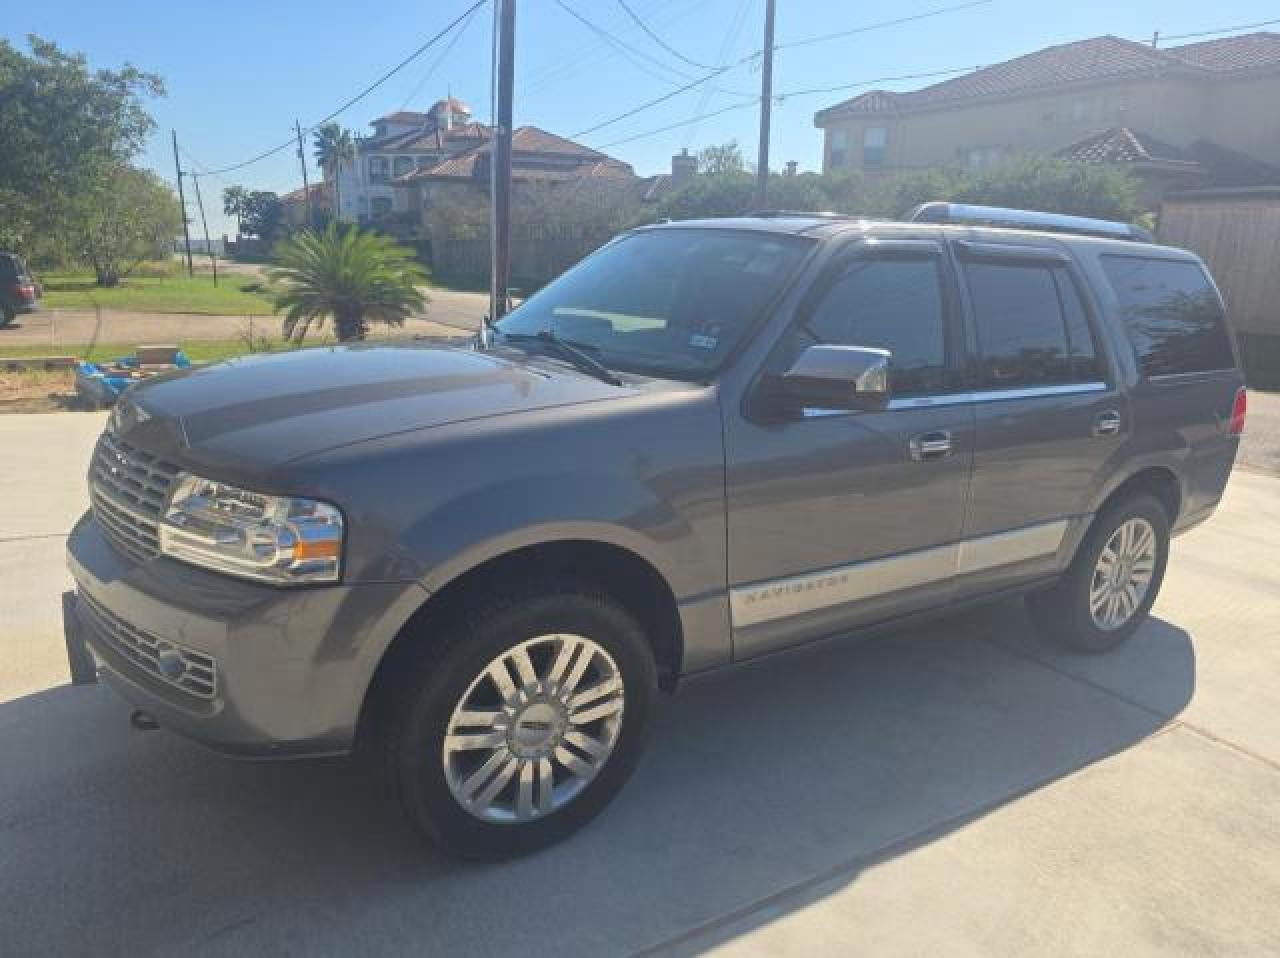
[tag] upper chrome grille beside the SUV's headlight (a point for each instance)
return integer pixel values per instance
(127, 490)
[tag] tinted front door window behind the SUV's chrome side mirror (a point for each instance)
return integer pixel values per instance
(895, 305)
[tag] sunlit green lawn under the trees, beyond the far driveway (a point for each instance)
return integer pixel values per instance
(234, 296)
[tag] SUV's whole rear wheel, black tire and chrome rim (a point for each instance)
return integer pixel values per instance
(1113, 583)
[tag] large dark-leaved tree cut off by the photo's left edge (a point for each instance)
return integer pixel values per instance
(66, 131)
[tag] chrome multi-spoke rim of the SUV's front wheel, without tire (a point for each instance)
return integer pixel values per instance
(534, 729)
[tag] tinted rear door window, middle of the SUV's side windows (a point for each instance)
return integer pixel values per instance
(1032, 327)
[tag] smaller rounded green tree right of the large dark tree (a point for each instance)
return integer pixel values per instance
(130, 216)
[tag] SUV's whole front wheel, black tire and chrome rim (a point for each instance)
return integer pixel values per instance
(525, 722)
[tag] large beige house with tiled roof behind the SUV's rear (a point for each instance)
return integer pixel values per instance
(1186, 113)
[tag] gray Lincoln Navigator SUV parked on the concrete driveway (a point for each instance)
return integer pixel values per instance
(479, 562)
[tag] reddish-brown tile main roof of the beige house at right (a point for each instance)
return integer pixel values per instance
(1081, 62)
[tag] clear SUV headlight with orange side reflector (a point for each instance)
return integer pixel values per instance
(272, 539)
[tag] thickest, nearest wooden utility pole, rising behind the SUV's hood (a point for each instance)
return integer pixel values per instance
(500, 161)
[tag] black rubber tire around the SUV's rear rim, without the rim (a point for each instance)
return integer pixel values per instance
(1063, 614)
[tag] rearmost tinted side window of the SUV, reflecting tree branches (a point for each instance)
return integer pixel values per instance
(1172, 313)
